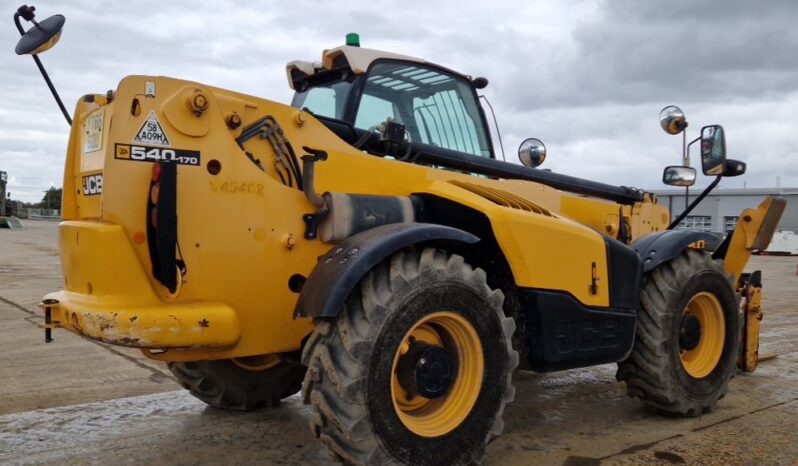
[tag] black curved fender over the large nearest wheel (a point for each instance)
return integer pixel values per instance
(339, 271)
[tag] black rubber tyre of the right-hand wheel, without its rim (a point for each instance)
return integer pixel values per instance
(653, 372)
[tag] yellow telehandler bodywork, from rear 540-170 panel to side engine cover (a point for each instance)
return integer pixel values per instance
(240, 227)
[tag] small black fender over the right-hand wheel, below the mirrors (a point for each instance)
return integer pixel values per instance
(657, 248)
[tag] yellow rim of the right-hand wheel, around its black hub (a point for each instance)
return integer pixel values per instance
(701, 361)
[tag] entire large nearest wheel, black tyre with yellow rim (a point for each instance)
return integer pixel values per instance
(416, 368)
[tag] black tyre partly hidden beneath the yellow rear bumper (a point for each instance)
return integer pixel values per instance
(223, 384)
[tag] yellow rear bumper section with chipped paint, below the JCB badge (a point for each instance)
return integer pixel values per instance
(108, 296)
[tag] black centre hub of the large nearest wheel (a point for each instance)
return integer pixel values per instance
(427, 370)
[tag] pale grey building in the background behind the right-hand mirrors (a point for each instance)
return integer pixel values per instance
(719, 211)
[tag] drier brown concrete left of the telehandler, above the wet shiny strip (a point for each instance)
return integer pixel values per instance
(72, 369)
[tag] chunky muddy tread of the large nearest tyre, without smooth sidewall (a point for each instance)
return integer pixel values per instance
(337, 360)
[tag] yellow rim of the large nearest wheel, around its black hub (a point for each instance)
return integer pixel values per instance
(435, 417)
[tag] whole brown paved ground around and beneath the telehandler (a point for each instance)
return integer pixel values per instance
(78, 402)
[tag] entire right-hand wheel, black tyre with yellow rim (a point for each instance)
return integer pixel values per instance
(675, 369)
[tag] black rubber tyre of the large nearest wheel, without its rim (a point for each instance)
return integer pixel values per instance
(349, 361)
